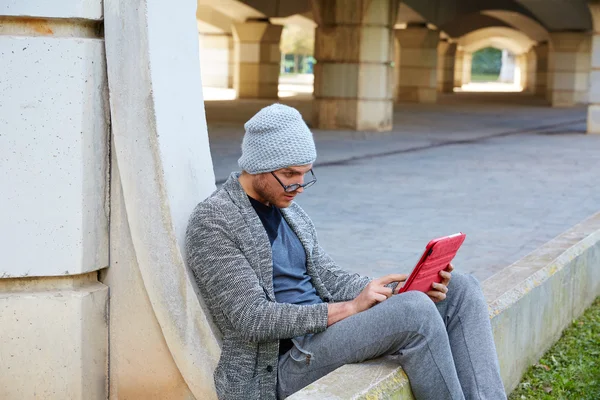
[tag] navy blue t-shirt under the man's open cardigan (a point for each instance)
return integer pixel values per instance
(291, 282)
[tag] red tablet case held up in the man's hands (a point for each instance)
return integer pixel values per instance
(437, 255)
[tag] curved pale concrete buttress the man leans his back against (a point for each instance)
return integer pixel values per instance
(161, 148)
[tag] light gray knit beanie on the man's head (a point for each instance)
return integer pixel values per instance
(276, 137)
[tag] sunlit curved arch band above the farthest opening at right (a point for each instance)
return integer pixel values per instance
(499, 37)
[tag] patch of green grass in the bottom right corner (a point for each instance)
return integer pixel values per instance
(571, 368)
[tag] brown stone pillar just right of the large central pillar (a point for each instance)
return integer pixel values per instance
(416, 61)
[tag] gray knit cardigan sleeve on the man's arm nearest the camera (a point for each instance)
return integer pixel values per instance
(230, 286)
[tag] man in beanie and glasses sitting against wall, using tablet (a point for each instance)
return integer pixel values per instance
(289, 315)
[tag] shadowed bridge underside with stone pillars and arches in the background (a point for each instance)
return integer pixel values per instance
(390, 52)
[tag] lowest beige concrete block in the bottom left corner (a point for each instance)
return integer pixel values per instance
(54, 338)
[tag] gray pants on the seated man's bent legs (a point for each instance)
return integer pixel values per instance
(446, 349)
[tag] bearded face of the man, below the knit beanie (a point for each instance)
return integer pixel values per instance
(271, 191)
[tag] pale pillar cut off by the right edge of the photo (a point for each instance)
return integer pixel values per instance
(593, 124)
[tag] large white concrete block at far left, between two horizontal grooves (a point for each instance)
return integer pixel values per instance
(53, 156)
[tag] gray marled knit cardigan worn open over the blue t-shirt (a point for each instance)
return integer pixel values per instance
(230, 255)
